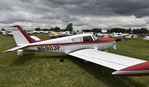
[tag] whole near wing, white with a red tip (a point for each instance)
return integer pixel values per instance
(124, 65)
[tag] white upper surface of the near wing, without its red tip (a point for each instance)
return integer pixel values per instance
(110, 60)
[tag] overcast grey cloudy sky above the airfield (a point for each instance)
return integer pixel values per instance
(82, 13)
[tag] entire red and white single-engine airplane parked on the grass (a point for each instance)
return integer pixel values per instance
(84, 46)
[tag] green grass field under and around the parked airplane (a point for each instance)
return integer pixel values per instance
(41, 69)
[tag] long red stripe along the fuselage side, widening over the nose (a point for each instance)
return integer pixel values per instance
(87, 42)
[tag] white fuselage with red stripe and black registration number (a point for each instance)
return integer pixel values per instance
(67, 45)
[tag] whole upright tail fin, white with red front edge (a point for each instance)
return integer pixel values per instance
(20, 36)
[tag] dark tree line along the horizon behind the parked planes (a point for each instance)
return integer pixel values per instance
(69, 27)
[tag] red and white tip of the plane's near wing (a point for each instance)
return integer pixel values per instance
(141, 69)
